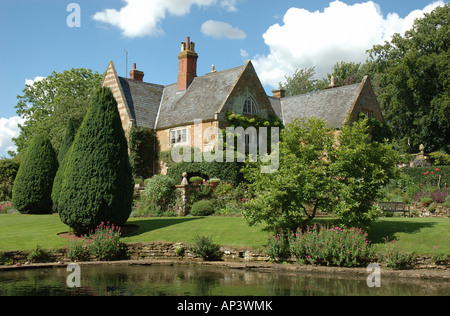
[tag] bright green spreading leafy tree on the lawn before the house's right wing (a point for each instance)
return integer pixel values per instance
(315, 174)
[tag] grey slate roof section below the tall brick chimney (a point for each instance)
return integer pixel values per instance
(157, 106)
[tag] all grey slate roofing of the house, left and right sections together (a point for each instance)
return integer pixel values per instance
(160, 107)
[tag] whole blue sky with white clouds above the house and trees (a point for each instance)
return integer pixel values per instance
(278, 36)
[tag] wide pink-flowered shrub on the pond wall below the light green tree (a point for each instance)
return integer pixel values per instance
(342, 247)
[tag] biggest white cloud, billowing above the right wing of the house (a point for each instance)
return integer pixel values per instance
(340, 32)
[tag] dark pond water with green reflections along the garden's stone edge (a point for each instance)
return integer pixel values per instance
(123, 280)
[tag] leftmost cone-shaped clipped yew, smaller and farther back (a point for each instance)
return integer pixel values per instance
(33, 184)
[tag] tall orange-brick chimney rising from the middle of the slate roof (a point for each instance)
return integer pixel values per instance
(187, 65)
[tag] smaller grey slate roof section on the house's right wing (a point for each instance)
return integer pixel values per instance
(332, 105)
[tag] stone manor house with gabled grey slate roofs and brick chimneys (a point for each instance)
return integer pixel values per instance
(172, 109)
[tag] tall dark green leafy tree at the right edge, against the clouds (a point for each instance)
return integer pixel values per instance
(414, 84)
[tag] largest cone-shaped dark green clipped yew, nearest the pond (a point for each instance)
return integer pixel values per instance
(98, 184)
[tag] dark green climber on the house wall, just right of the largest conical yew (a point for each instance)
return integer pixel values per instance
(142, 151)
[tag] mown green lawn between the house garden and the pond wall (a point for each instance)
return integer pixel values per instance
(24, 232)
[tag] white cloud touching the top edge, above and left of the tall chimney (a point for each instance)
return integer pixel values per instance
(144, 17)
